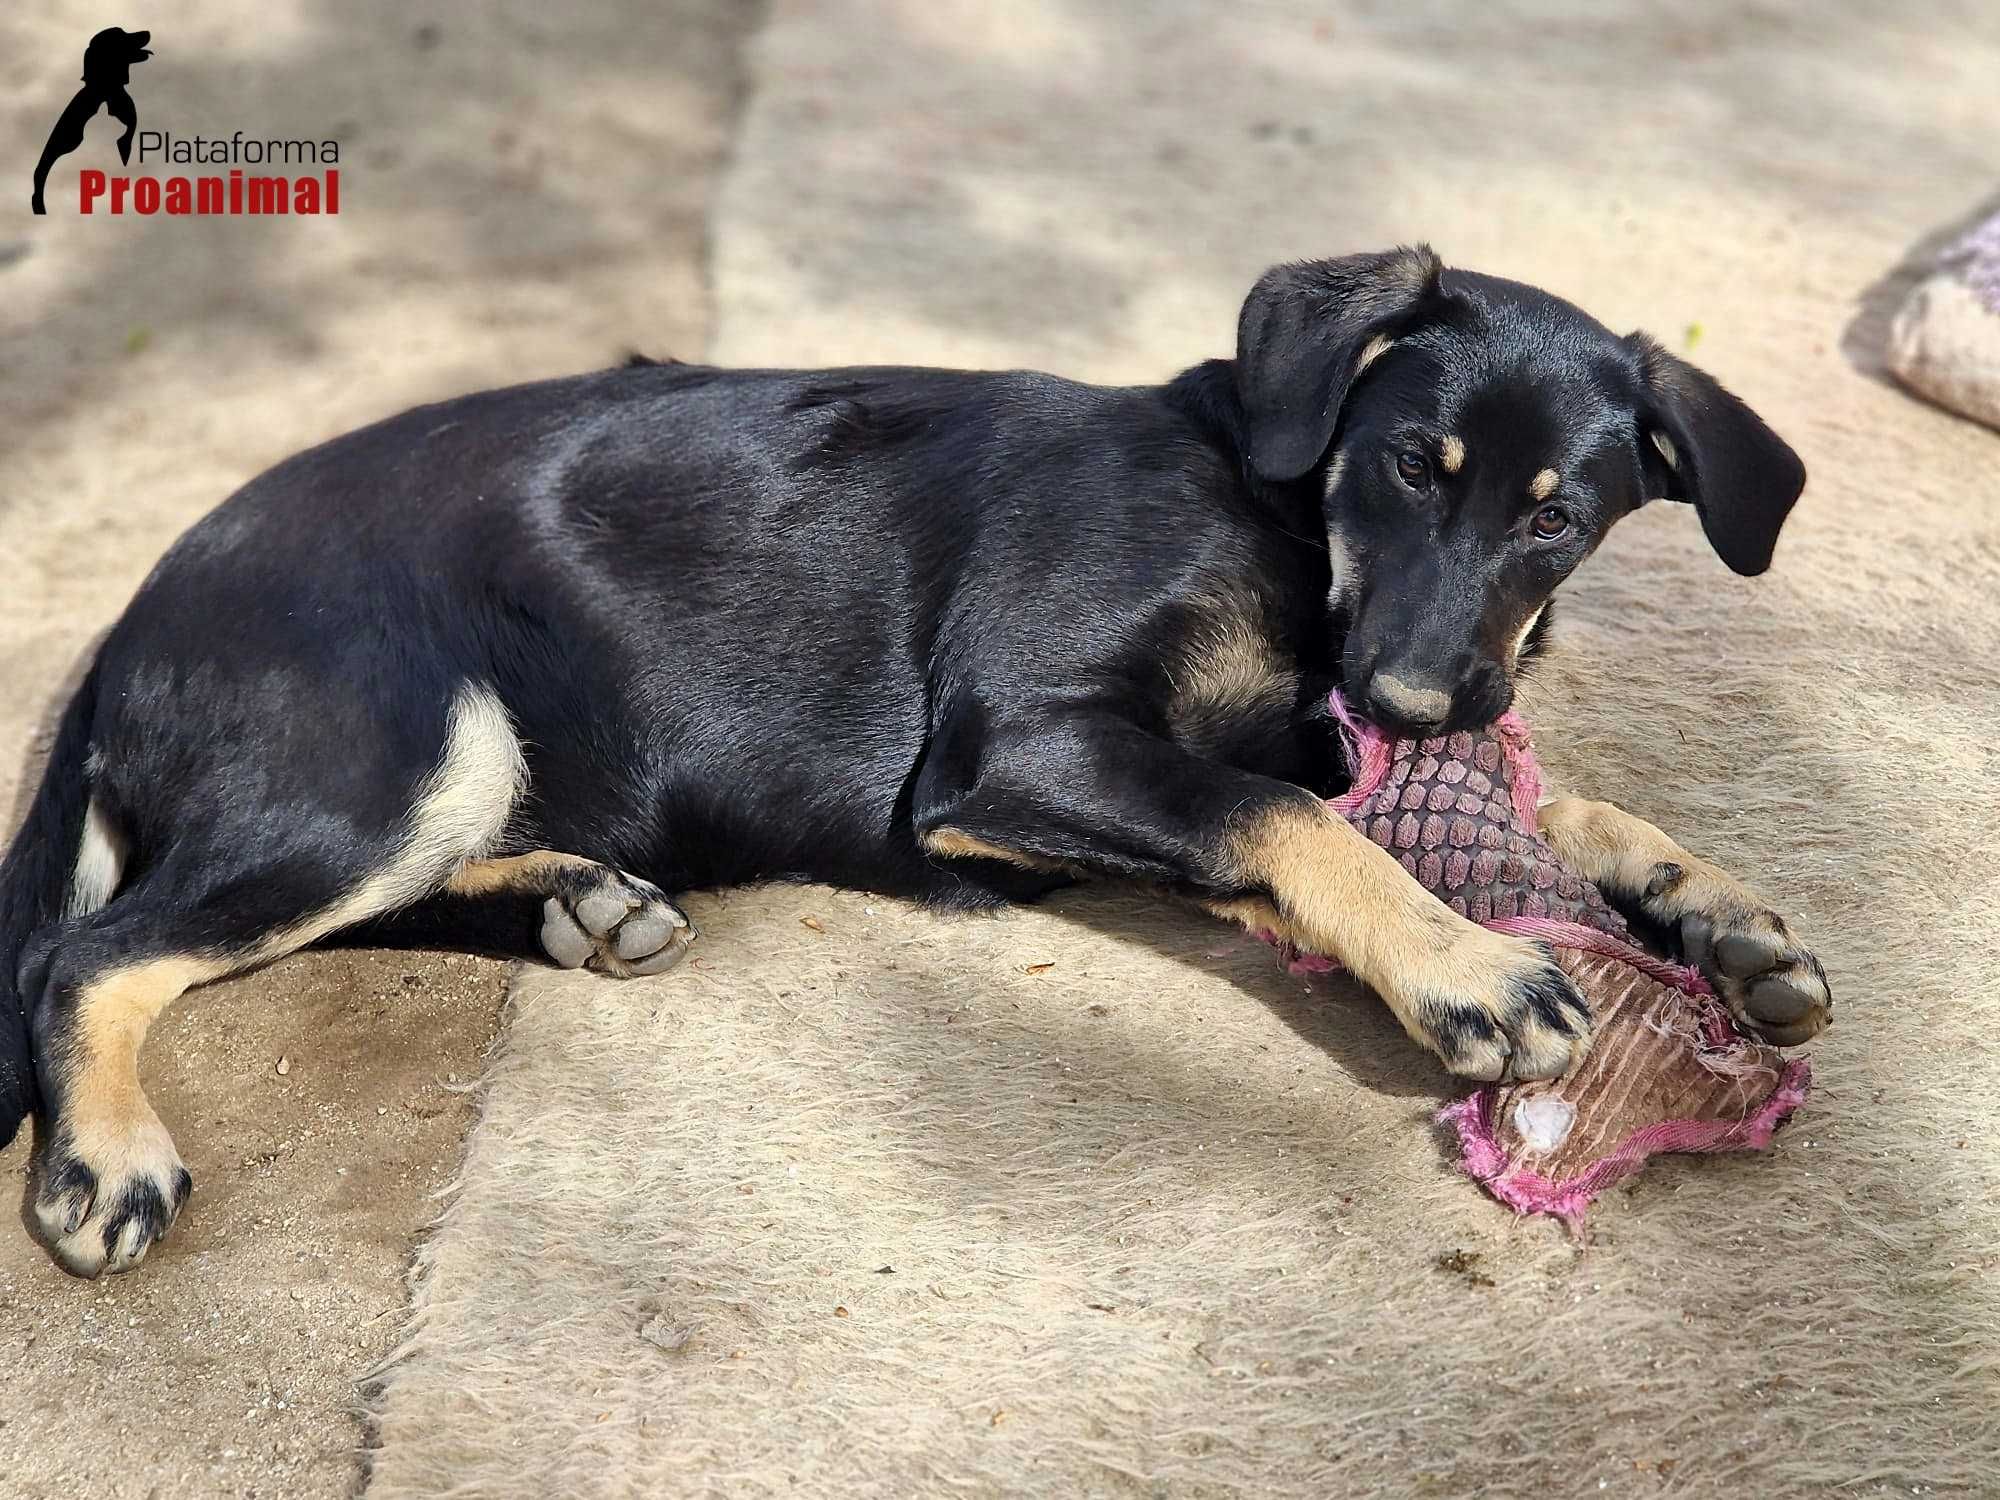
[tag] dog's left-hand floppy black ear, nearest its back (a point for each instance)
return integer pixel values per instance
(1301, 343)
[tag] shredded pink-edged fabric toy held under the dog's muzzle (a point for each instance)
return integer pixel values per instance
(1669, 1069)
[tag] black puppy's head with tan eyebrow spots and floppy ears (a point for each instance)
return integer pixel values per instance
(1475, 439)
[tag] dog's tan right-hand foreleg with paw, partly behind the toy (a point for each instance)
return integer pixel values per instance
(1749, 953)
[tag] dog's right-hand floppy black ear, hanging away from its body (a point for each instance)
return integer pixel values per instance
(1705, 447)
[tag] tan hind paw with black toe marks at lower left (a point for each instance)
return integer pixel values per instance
(109, 1193)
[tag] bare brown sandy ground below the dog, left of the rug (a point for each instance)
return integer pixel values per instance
(231, 1367)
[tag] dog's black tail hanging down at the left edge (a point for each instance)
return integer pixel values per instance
(35, 885)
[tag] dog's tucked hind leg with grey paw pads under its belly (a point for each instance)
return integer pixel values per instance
(567, 909)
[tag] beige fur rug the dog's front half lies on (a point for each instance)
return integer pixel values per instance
(1093, 1199)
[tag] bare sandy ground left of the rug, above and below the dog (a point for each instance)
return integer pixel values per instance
(523, 197)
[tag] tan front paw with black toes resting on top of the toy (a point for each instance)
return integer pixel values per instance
(1497, 1009)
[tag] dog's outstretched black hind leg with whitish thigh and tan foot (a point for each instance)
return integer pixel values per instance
(255, 857)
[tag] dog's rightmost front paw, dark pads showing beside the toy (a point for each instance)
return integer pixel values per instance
(1765, 977)
